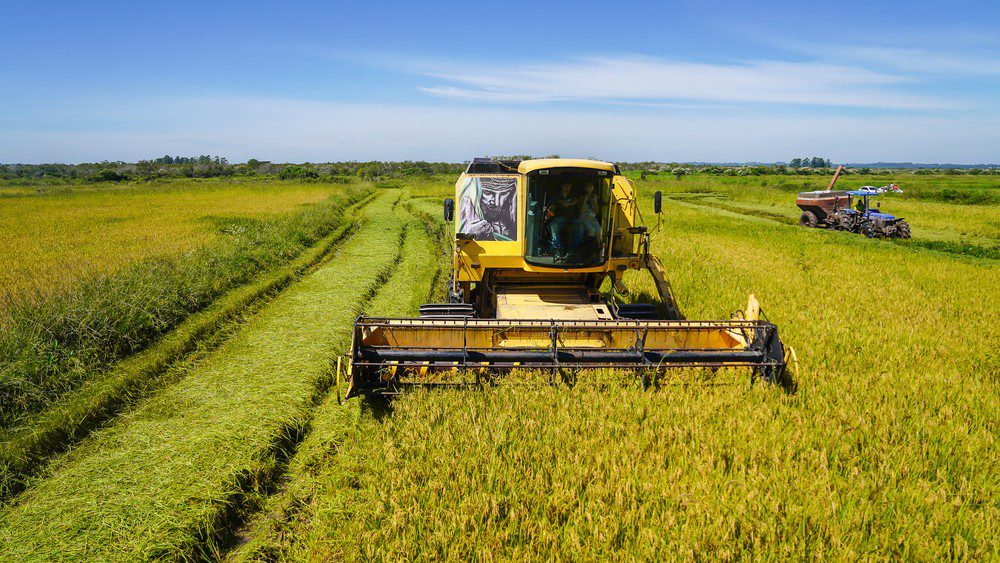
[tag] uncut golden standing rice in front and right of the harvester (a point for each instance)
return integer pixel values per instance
(886, 450)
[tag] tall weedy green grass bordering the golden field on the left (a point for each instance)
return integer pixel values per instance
(53, 342)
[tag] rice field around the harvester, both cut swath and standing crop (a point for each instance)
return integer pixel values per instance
(886, 451)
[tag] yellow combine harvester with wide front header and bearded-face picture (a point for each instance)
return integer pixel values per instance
(534, 242)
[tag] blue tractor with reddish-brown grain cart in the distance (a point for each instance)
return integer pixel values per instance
(836, 209)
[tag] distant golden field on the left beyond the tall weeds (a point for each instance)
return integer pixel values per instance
(53, 237)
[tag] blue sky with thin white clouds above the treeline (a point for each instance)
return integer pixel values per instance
(321, 81)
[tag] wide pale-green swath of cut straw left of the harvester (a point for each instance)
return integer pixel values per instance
(164, 479)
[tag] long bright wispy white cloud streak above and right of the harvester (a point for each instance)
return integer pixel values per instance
(630, 78)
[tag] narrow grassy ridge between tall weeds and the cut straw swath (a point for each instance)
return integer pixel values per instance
(23, 449)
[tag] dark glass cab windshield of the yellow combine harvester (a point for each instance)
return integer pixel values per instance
(568, 218)
